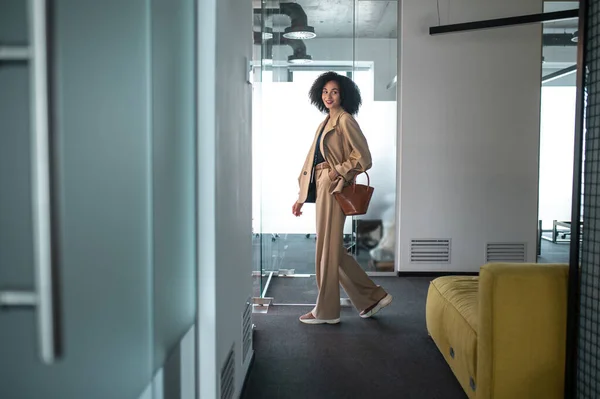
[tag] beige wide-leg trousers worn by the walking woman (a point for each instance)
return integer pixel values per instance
(334, 266)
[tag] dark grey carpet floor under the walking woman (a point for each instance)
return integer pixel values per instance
(389, 356)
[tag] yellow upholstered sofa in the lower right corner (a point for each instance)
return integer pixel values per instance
(503, 332)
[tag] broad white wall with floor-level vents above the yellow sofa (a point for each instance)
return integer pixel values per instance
(469, 130)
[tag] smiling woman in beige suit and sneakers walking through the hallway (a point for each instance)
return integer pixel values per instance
(339, 152)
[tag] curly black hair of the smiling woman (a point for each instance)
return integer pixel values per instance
(349, 92)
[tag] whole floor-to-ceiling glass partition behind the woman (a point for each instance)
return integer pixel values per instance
(294, 43)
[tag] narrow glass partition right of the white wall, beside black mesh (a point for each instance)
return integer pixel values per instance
(557, 131)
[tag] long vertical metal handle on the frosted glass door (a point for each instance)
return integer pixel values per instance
(44, 296)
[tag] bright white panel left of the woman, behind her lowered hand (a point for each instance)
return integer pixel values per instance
(287, 127)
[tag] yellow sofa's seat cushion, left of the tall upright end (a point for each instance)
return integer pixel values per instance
(451, 315)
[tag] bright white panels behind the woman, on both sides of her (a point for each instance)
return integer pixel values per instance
(284, 125)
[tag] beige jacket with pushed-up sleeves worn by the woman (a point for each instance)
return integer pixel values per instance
(344, 147)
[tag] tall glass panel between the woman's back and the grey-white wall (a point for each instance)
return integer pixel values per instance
(375, 45)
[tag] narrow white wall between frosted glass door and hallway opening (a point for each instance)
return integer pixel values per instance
(224, 187)
